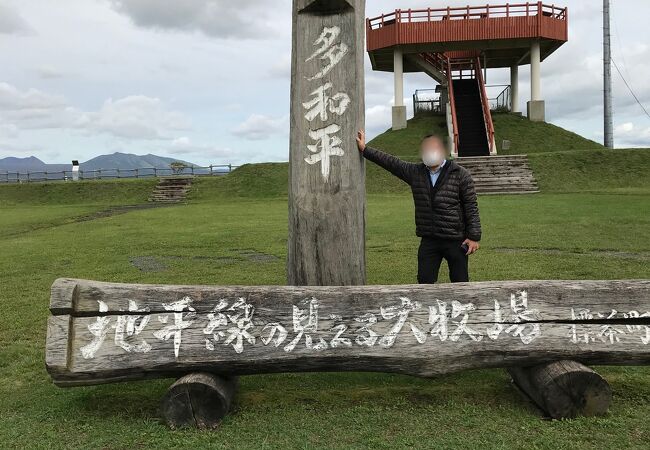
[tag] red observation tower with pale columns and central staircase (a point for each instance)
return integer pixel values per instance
(456, 46)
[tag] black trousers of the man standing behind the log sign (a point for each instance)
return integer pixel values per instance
(430, 255)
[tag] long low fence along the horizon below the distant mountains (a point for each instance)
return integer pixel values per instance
(103, 174)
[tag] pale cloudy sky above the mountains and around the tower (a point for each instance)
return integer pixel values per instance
(207, 81)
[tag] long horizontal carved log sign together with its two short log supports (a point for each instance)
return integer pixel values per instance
(205, 336)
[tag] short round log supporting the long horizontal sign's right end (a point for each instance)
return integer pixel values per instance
(564, 389)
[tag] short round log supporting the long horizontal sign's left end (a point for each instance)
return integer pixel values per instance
(198, 400)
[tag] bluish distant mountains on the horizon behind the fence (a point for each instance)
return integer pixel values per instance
(115, 161)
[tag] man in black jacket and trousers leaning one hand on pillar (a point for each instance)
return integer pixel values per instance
(446, 211)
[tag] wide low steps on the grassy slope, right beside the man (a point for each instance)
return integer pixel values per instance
(500, 174)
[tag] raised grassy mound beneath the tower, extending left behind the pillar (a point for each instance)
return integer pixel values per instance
(562, 161)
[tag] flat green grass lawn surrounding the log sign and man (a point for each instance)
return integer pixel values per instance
(578, 235)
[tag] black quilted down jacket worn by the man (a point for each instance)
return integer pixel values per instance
(454, 212)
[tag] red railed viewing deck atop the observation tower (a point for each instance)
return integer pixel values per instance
(502, 32)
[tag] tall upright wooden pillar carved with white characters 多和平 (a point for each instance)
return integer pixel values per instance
(326, 243)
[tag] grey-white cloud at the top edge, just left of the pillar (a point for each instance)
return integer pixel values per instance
(217, 18)
